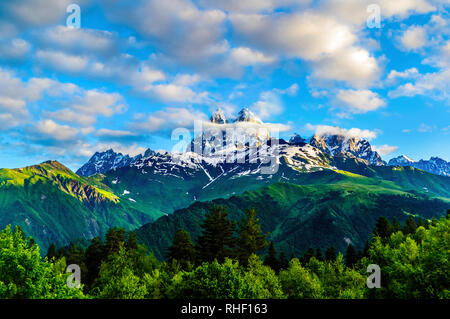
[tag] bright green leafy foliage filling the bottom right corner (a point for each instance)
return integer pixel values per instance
(414, 265)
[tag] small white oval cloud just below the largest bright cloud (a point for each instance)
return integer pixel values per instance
(359, 101)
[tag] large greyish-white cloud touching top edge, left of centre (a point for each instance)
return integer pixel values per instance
(194, 34)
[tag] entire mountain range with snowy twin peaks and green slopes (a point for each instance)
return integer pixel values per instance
(330, 188)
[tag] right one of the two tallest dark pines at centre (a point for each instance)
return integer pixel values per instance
(251, 239)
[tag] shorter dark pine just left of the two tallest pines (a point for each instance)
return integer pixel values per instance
(182, 249)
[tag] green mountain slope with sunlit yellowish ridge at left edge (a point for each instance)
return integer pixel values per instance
(52, 204)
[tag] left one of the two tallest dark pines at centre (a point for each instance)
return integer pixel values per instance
(217, 240)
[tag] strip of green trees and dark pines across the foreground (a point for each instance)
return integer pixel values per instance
(225, 262)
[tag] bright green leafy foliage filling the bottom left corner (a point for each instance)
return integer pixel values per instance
(24, 275)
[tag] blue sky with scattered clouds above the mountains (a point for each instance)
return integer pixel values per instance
(136, 70)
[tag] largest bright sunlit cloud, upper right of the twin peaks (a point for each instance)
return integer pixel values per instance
(319, 38)
